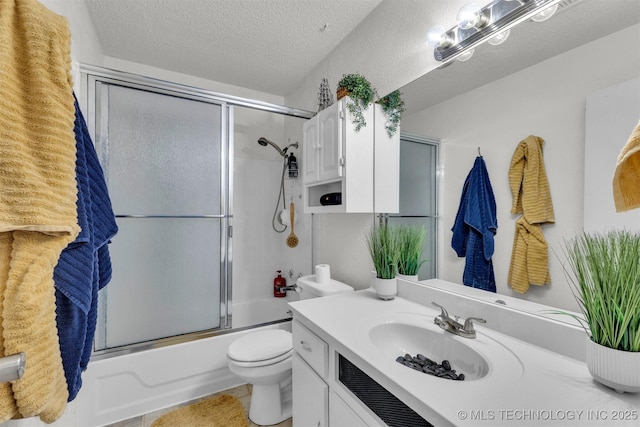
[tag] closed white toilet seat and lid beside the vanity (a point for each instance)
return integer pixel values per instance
(261, 348)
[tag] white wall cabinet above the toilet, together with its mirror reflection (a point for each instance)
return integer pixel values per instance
(363, 166)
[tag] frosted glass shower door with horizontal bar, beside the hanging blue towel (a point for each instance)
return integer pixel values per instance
(163, 157)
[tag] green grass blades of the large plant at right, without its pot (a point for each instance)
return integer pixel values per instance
(606, 284)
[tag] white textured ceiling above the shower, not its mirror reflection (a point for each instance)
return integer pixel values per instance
(265, 45)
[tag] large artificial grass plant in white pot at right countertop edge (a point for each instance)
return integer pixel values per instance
(606, 283)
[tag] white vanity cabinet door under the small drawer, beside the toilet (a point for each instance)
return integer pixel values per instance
(310, 396)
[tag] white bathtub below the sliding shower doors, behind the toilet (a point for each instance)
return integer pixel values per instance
(129, 385)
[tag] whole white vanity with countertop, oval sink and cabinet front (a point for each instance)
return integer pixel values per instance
(521, 369)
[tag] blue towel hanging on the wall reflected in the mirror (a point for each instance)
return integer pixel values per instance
(475, 227)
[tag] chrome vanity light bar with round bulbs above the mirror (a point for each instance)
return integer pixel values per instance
(490, 23)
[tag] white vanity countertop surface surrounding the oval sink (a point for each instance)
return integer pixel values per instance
(548, 389)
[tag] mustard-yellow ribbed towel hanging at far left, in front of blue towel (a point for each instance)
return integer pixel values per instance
(38, 205)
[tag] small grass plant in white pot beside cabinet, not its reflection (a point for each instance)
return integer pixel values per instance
(382, 242)
